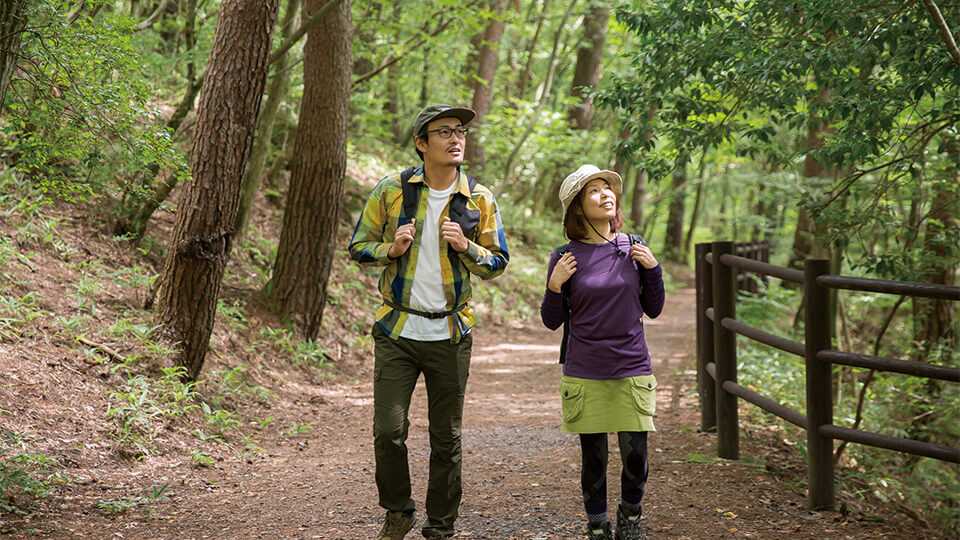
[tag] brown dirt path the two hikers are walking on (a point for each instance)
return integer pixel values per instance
(521, 474)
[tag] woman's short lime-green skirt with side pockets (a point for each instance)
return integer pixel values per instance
(609, 405)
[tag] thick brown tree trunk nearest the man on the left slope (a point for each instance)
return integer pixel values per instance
(298, 288)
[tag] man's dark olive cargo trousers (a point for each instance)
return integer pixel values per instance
(397, 366)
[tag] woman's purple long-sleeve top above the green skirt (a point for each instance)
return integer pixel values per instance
(609, 295)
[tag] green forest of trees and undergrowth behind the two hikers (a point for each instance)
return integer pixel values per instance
(828, 129)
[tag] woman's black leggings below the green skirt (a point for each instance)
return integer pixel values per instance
(593, 472)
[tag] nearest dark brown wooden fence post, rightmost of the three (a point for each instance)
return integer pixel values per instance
(819, 386)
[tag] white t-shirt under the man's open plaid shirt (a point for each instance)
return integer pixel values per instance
(426, 293)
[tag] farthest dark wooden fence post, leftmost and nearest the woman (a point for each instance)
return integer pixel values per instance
(705, 384)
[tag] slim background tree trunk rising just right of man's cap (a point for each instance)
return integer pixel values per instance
(487, 56)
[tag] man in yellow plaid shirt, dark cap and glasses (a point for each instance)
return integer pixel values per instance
(430, 231)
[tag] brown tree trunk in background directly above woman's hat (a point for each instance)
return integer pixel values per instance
(589, 59)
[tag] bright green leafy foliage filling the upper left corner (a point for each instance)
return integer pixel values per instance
(80, 120)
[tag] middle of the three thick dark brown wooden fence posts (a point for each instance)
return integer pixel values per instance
(725, 352)
